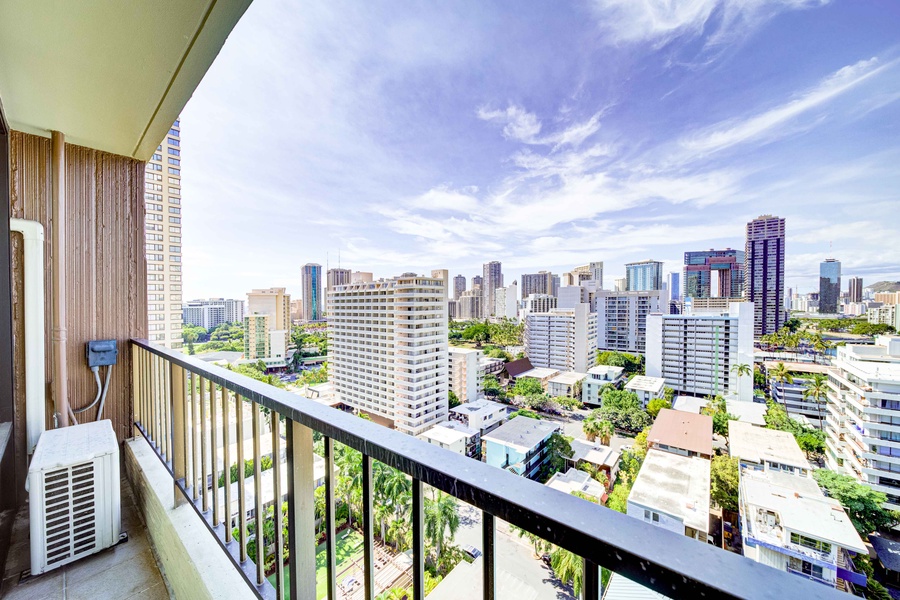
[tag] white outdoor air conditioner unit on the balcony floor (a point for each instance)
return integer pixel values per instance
(74, 502)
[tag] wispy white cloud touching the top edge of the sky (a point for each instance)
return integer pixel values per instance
(660, 21)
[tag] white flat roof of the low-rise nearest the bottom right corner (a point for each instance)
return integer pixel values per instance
(801, 506)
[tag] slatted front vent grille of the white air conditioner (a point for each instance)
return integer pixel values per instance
(69, 506)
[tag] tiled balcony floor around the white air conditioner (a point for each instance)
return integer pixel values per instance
(127, 571)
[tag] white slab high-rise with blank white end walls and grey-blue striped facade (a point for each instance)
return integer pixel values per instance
(696, 353)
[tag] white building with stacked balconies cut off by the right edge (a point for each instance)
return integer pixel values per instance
(863, 401)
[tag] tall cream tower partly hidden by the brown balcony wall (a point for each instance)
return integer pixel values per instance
(162, 201)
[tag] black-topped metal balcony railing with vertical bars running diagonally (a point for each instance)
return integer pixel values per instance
(177, 406)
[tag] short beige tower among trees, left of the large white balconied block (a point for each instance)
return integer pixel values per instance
(267, 326)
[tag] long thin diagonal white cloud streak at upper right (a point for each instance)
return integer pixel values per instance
(771, 122)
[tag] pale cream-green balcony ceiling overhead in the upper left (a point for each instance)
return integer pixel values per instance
(111, 75)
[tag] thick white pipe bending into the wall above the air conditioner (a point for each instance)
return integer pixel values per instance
(35, 380)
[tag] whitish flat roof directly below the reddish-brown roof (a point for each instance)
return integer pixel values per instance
(676, 485)
